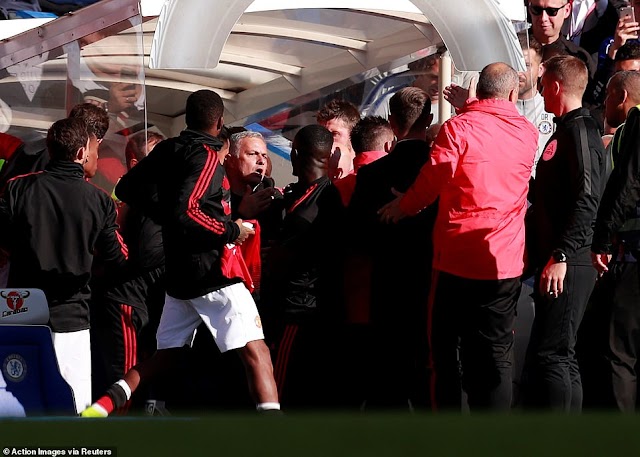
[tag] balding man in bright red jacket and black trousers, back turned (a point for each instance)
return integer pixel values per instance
(479, 169)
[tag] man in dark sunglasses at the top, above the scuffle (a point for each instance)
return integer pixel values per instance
(547, 17)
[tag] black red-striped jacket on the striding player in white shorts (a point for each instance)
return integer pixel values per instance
(183, 187)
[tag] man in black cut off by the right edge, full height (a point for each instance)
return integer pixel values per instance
(616, 235)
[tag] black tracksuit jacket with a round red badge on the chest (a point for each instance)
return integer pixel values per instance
(567, 190)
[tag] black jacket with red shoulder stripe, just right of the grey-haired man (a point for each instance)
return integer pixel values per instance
(303, 269)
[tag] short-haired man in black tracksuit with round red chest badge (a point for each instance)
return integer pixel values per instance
(570, 178)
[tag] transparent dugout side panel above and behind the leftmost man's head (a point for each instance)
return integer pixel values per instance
(104, 67)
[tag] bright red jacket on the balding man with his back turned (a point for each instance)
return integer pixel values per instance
(480, 167)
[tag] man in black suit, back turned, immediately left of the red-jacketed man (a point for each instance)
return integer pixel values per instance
(398, 315)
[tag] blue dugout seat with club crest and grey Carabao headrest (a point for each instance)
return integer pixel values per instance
(27, 356)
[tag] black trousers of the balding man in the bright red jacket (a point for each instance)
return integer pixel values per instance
(471, 337)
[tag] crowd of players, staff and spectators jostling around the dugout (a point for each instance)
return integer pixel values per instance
(390, 274)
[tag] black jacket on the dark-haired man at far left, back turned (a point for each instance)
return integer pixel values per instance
(52, 223)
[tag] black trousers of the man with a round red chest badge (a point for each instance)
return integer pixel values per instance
(552, 374)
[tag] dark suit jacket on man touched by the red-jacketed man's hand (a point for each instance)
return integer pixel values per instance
(401, 253)
